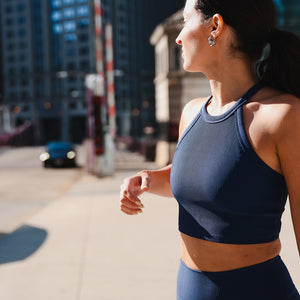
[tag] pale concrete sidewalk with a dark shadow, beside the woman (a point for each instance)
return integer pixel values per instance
(82, 247)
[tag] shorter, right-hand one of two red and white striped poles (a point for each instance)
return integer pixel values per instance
(110, 80)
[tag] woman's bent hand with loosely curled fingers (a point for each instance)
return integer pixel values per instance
(131, 189)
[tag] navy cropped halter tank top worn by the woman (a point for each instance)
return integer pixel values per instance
(225, 192)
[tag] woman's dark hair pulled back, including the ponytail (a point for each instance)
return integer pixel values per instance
(253, 22)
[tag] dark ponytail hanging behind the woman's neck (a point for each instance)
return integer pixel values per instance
(280, 69)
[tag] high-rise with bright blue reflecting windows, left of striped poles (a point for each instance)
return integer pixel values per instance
(47, 50)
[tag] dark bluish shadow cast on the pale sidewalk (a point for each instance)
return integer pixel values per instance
(21, 243)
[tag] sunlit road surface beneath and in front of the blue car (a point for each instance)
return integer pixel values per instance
(26, 187)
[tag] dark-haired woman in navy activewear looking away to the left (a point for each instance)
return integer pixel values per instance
(237, 157)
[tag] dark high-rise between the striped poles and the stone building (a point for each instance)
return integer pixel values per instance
(133, 22)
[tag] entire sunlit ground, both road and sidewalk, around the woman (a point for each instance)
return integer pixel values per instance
(66, 238)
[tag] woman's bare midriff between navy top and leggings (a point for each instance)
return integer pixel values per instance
(208, 256)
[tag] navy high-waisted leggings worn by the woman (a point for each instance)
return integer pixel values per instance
(269, 280)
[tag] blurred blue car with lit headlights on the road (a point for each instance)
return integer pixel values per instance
(59, 154)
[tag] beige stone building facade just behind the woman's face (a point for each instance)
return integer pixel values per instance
(174, 87)
